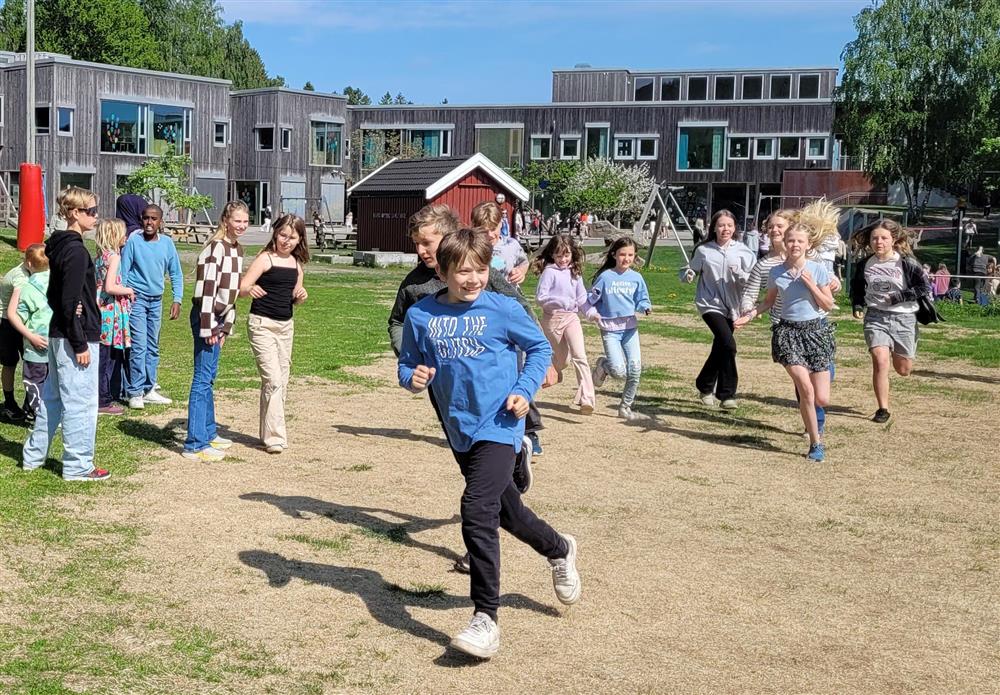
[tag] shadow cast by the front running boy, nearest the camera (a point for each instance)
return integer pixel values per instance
(385, 603)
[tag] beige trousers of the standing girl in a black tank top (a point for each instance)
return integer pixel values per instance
(271, 342)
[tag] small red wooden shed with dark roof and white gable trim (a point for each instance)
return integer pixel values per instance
(387, 197)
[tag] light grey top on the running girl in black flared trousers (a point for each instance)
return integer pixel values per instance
(724, 270)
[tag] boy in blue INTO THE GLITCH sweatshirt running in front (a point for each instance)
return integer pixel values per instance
(462, 343)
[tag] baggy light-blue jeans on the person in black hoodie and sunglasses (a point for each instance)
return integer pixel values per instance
(69, 396)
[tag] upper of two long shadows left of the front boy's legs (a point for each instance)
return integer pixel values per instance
(364, 518)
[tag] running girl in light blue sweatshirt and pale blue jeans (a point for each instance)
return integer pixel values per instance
(618, 293)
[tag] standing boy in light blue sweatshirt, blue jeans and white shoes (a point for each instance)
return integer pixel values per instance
(146, 258)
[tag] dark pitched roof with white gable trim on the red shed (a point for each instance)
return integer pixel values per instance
(433, 176)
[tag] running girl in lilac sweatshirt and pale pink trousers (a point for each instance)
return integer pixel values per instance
(562, 296)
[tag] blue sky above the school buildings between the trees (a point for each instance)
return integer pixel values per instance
(475, 52)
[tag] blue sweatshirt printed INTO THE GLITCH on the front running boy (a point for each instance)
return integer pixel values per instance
(473, 348)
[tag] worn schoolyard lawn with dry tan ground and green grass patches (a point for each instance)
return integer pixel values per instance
(78, 614)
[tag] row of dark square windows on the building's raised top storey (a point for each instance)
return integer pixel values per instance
(644, 88)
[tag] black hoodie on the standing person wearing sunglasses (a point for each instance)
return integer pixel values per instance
(72, 284)
